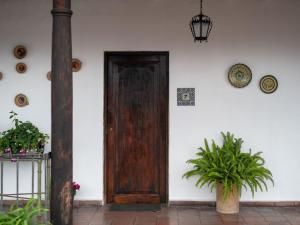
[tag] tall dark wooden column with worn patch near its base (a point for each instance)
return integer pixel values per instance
(61, 206)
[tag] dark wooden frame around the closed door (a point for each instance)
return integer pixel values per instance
(107, 54)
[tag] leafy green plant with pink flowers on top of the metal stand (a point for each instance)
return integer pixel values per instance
(23, 137)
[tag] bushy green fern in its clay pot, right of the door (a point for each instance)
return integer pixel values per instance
(227, 169)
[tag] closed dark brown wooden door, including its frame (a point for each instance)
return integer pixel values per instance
(136, 127)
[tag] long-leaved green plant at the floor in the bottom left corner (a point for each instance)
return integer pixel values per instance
(31, 214)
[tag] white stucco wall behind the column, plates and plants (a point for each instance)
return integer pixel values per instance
(264, 34)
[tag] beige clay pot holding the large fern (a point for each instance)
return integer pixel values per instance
(231, 204)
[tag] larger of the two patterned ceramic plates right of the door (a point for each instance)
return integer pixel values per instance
(239, 75)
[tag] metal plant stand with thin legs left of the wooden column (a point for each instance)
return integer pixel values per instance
(36, 160)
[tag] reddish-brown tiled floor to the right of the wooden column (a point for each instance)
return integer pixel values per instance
(189, 216)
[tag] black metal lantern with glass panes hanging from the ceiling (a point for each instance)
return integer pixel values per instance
(201, 26)
